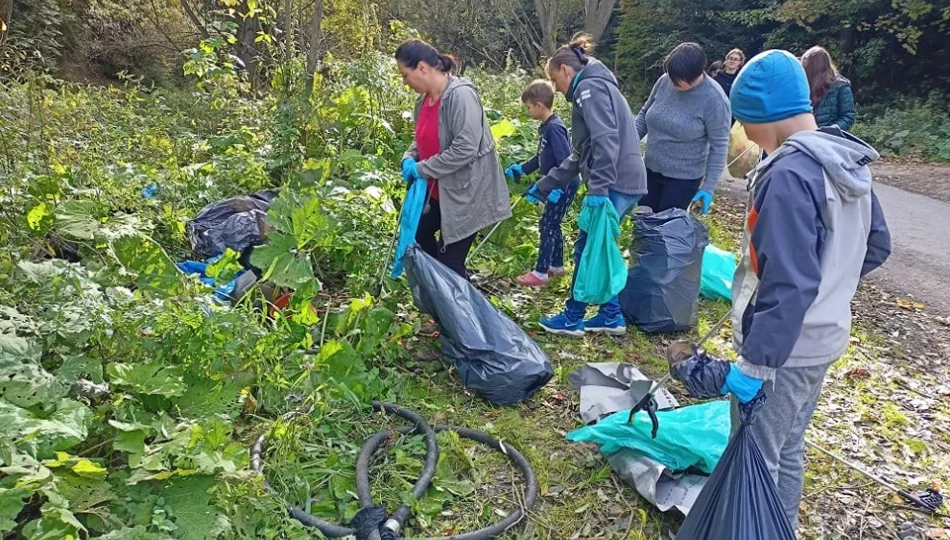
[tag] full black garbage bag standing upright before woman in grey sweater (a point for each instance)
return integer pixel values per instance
(662, 288)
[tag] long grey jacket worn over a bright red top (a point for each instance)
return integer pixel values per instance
(473, 193)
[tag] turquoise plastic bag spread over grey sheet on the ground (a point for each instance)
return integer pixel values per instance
(695, 435)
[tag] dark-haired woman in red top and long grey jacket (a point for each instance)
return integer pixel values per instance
(453, 149)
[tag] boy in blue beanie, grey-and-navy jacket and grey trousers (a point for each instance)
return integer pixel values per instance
(814, 228)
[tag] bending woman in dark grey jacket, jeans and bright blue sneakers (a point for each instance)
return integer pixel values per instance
(606, 154)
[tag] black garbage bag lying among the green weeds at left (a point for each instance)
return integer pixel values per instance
(239, 223)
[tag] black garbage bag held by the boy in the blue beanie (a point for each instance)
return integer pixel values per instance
(739, 501)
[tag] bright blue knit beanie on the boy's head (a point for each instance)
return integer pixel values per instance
(770, 88)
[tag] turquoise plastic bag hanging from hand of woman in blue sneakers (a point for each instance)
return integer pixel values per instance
(602, 272)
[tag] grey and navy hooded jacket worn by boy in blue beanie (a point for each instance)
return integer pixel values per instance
(814, 228)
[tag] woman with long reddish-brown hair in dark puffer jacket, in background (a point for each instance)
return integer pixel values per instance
(831, 95)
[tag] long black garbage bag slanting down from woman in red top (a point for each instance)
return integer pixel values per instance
(492, 354)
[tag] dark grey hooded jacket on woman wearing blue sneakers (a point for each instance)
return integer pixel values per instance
(606, 146)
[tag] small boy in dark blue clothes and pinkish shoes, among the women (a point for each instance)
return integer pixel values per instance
(554, 146)
